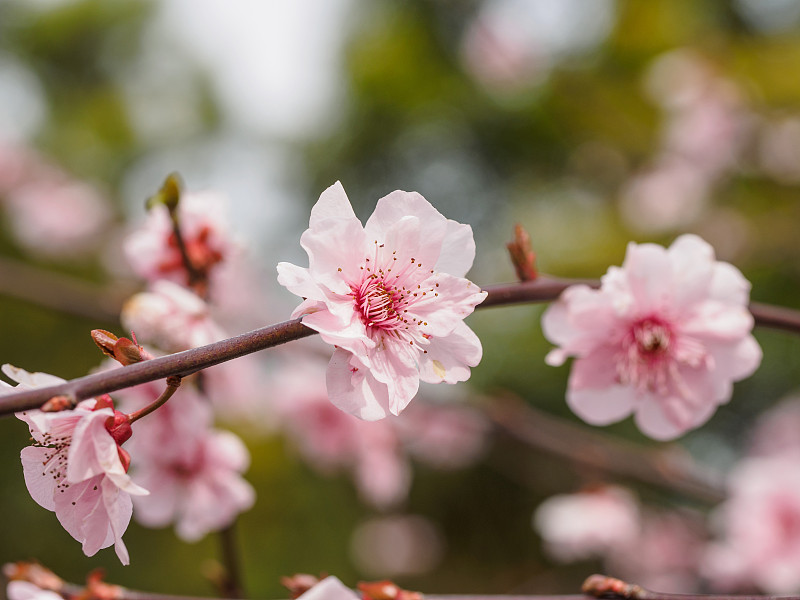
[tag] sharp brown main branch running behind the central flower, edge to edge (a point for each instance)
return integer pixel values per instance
(542, 289)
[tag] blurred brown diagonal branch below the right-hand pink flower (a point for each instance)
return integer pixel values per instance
(669, 467)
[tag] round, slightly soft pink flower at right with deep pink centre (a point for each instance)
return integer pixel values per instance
(664, 338)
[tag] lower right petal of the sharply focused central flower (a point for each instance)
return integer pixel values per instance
(449, 358)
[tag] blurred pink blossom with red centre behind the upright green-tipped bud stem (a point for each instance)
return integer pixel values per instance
(152, 249)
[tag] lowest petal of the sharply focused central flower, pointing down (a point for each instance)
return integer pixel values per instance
(355, 392)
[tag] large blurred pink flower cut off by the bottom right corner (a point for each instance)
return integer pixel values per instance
(760, 527)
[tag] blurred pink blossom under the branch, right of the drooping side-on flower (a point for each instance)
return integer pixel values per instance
(192, 470)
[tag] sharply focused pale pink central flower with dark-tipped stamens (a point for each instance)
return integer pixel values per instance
(390, 296)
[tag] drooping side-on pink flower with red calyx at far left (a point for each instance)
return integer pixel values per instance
(77, 469)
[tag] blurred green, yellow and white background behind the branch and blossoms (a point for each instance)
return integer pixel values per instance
(591, 122)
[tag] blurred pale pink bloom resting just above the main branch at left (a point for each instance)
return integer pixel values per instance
(171, 318)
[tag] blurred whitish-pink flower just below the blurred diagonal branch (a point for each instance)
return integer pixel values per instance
(587, 524)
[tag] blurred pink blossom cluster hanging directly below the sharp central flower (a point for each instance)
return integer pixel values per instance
(377, 454)
